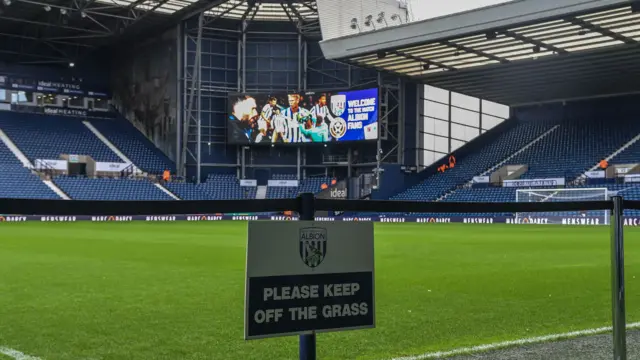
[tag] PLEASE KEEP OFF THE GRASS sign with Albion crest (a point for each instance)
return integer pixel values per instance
(313, 276)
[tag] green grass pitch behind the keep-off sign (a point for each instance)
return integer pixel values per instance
(71, 291)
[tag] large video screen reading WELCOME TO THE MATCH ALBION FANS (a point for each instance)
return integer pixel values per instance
(298, 118)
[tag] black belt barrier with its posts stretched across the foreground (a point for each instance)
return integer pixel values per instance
(306, 205)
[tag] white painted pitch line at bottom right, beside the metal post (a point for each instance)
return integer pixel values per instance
(512, 343)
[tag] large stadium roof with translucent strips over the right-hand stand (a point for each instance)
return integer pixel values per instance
(519, 52)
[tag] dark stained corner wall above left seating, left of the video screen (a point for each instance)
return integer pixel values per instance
(144, 83)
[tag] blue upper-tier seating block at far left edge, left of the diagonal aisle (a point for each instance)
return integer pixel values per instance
(47, 136)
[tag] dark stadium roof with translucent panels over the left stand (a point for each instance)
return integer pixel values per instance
(49, 31)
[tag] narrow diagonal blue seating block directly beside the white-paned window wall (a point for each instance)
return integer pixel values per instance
(506, 144)
